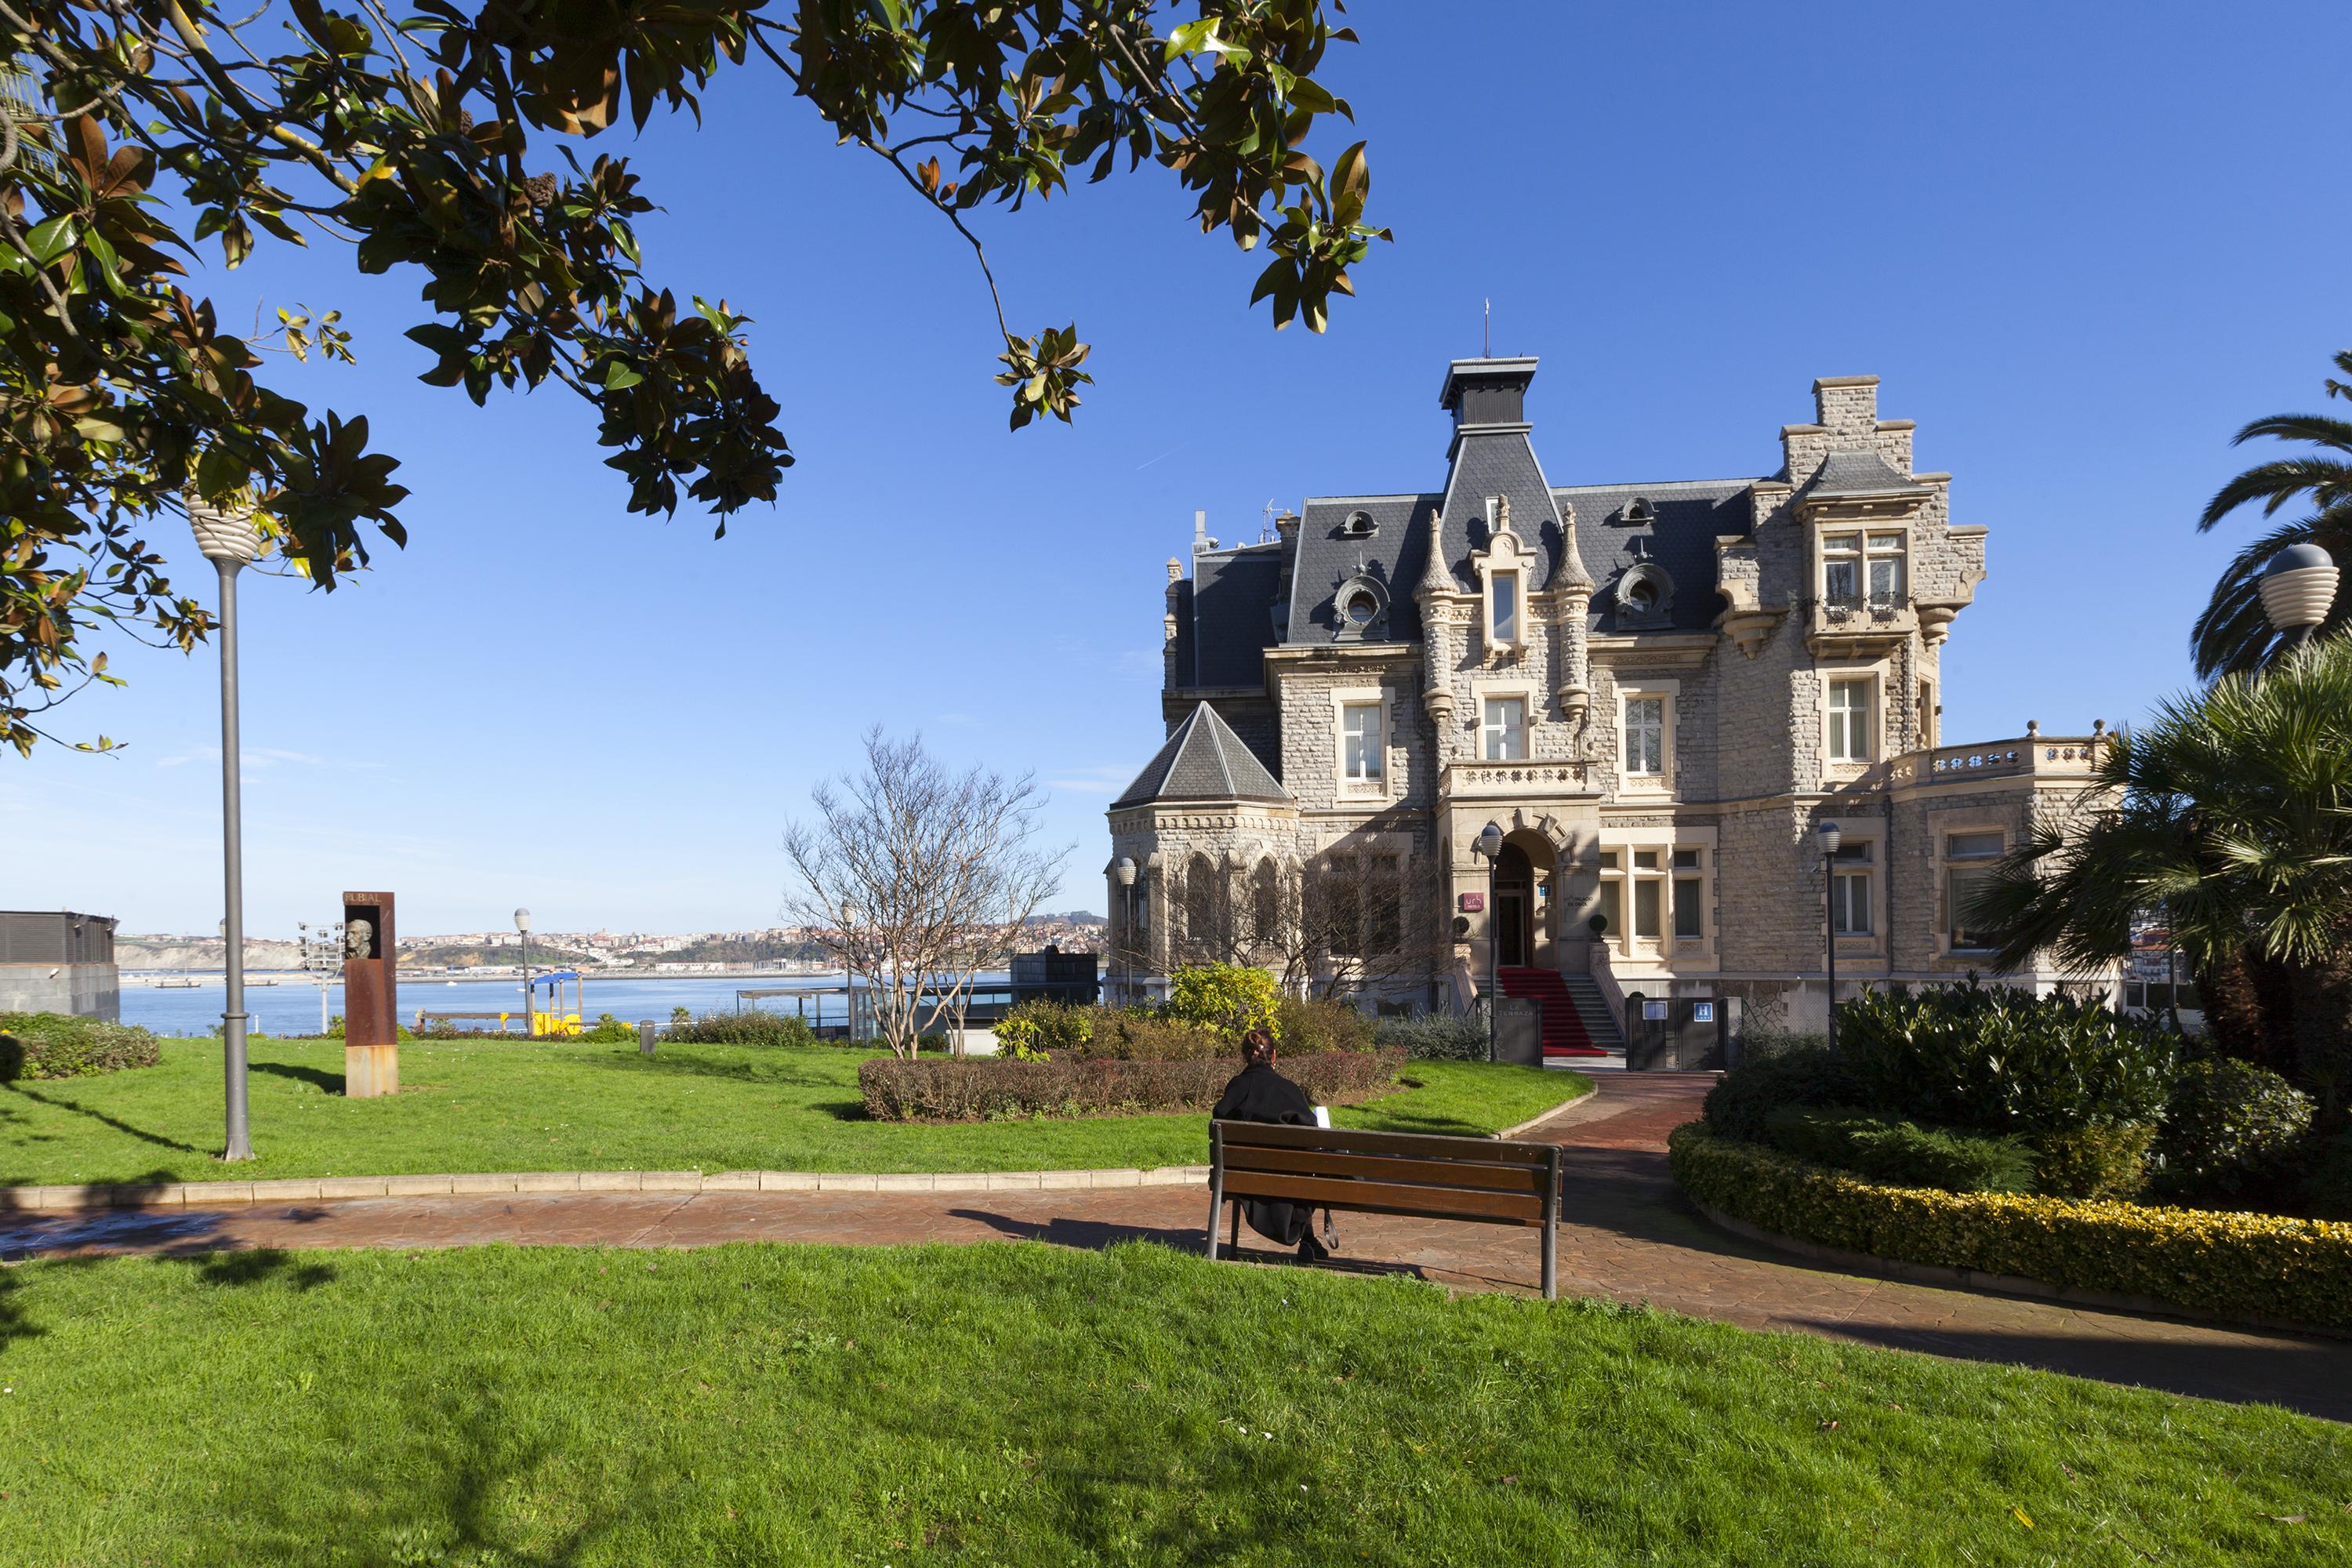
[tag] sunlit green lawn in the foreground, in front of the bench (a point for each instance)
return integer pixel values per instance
(1022, 1405)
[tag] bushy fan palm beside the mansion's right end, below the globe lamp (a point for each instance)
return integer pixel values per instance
(2231, 815)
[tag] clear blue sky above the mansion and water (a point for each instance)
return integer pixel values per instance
(2078, 243)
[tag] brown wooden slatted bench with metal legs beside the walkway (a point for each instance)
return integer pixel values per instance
(1431, 1179)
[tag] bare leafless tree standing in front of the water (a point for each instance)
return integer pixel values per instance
(918, 880)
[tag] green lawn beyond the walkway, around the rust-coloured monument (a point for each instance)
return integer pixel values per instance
(544, 1106)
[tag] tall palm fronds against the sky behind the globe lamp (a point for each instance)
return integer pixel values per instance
(2233, 634)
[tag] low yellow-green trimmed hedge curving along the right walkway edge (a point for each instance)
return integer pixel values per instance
(2236, 1264)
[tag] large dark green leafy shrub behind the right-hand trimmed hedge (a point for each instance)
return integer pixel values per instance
(1996, 1059)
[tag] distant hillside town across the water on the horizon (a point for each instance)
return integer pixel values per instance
(610, 951)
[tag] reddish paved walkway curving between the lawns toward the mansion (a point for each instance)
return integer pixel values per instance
(1624, 1238)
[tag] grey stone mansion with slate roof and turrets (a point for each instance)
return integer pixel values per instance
(1652, 692)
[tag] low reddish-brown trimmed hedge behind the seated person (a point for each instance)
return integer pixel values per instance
(989, 1090)
